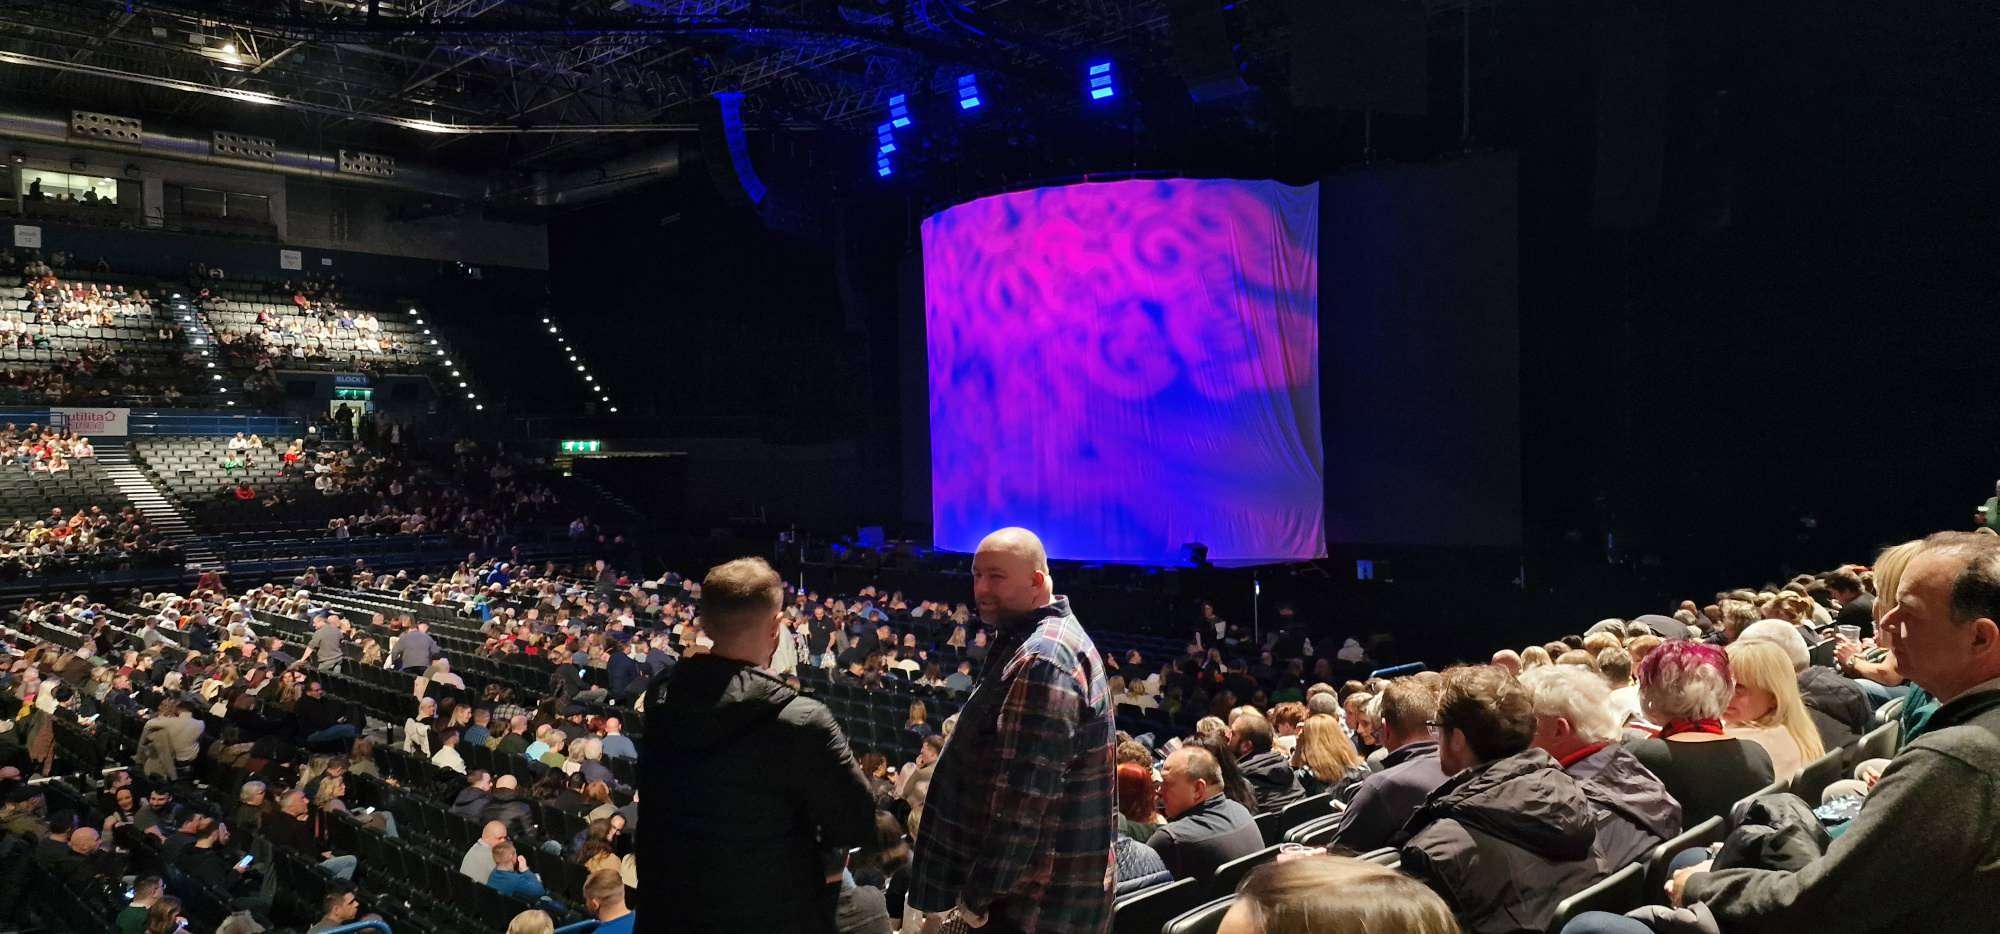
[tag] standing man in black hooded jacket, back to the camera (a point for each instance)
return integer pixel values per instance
(747, 783)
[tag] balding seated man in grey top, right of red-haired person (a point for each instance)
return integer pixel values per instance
(1203, 829)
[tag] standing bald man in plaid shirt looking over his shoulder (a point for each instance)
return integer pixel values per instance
(1019, 825)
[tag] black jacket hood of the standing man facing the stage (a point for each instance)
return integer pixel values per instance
(713, 701)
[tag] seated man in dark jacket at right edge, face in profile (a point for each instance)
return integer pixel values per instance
(1923, 855)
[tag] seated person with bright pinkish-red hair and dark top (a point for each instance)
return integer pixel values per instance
(1685, 687)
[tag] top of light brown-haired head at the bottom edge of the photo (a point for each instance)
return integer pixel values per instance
(1335, 895)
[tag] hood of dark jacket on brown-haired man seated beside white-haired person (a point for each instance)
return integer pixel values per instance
(1527, 801)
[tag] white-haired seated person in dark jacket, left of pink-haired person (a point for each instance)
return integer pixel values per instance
(1577, 725)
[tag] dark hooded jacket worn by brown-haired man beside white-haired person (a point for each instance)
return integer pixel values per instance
(1505, 843)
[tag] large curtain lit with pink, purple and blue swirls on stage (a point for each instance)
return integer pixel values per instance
(1129, 367)
